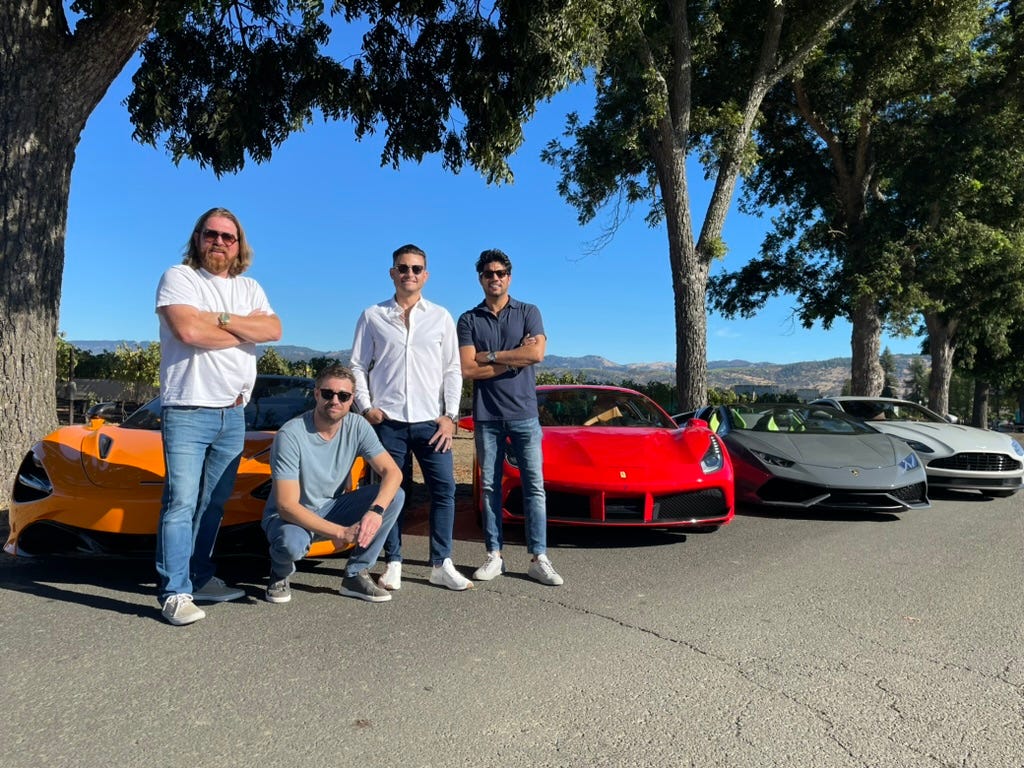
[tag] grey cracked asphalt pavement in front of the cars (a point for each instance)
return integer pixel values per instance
(861, 642)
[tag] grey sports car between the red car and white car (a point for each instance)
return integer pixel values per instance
(790, 455)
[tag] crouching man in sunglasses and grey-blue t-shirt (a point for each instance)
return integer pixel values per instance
(311, 462)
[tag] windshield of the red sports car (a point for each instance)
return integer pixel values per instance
(600, 408)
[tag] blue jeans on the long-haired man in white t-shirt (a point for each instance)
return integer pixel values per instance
(202, 450)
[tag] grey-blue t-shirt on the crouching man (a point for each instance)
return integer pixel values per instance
(322, 467)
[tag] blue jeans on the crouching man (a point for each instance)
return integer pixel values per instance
(290, 542)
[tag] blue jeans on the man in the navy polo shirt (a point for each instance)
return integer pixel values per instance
(525, 436)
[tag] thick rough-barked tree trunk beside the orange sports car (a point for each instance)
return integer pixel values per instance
(51, 82)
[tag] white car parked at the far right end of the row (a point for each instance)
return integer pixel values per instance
(955, 456)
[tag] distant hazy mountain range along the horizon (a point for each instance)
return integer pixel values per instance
(826, 376)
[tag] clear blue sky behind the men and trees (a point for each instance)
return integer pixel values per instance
(324, 219)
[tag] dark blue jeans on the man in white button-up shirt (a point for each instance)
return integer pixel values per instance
(403, 441)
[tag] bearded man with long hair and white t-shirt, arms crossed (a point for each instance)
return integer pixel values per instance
(211, 320)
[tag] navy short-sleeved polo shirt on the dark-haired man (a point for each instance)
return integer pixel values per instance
(511, 396)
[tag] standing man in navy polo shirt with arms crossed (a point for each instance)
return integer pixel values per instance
(500, 342)
